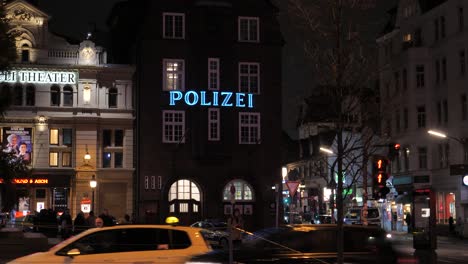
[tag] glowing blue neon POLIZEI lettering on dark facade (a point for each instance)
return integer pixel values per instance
(203, 98)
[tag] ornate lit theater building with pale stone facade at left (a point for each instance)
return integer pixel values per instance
(71, 119)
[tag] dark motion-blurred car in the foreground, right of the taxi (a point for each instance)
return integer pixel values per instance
(309, 244)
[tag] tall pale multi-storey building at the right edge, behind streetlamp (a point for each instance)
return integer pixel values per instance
(423, 86)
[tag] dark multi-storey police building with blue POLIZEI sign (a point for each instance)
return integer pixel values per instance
(209, 111)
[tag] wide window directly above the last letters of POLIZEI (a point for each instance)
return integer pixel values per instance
(249, 77)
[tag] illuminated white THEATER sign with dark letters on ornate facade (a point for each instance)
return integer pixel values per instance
(21, 76)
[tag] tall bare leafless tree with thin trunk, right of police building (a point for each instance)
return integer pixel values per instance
(337, 38)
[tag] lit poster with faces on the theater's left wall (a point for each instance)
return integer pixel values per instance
(18, 140)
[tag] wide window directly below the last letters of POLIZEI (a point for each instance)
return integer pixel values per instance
(249, 128)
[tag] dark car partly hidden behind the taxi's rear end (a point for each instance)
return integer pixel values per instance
(215, 232)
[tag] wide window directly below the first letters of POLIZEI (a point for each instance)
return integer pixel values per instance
(173, 126)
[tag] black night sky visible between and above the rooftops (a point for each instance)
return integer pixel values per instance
(74, 19)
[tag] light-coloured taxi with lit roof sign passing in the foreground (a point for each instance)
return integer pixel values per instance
(125, 244)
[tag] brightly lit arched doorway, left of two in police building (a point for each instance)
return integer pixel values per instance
(184, 201)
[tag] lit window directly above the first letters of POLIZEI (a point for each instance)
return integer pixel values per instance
(173, 72)
